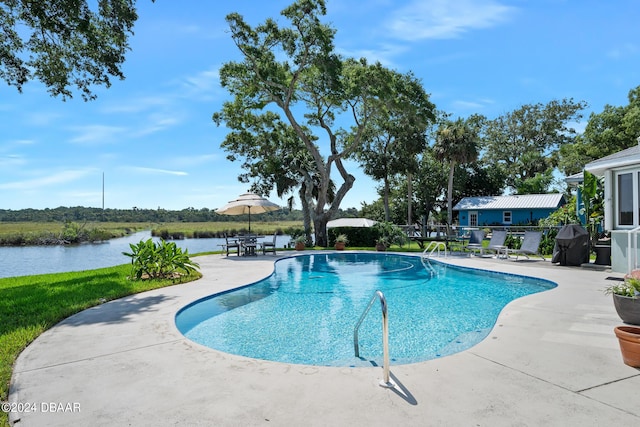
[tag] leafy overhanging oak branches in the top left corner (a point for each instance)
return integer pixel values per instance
(64, 43)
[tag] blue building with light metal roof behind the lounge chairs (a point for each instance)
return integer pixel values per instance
(507, 210)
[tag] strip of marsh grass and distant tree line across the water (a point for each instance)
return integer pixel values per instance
(68, 225)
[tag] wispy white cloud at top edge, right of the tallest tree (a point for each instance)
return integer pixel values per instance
(444, 19)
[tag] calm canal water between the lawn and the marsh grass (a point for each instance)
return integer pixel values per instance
(28, 260)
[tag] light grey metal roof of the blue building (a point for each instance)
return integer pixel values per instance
(525, 201)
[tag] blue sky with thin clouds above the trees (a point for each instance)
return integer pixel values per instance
(152, 137)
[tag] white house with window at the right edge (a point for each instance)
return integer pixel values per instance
(621, 173)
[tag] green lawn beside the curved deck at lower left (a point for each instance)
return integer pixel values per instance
(29, 305)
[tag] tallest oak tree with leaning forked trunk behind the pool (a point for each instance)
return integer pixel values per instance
(328, 101)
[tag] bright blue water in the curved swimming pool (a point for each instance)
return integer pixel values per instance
(306, 311)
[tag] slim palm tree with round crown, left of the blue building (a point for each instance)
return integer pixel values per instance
(456, 143)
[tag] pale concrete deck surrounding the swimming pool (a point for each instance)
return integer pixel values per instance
(552, 359)
